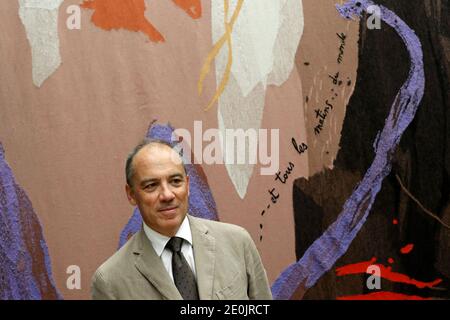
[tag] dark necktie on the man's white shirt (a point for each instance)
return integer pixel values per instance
(182, 274)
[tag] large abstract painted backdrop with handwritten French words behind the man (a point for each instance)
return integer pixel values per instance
(349, 100)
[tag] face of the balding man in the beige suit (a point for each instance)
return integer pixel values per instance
(160, 188)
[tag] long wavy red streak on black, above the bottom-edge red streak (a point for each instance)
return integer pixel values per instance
(386, 273)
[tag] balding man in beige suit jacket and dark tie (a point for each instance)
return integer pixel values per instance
(175, 255)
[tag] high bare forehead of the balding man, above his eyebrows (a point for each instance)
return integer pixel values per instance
(157, 159)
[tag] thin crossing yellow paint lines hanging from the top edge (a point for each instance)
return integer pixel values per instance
(206, 68)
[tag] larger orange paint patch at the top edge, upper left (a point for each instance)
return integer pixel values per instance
(123, 14)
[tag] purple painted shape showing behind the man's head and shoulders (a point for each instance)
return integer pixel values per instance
(201, 201)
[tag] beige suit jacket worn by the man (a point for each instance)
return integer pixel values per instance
(227, 264)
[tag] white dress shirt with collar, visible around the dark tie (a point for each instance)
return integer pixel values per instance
(159, 242)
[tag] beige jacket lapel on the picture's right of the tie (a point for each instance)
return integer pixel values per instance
(204, 246)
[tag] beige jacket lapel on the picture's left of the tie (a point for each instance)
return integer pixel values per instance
(151, 267)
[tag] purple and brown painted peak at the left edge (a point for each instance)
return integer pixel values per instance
(25, 268)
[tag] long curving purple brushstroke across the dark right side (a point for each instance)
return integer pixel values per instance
(326, 250)
